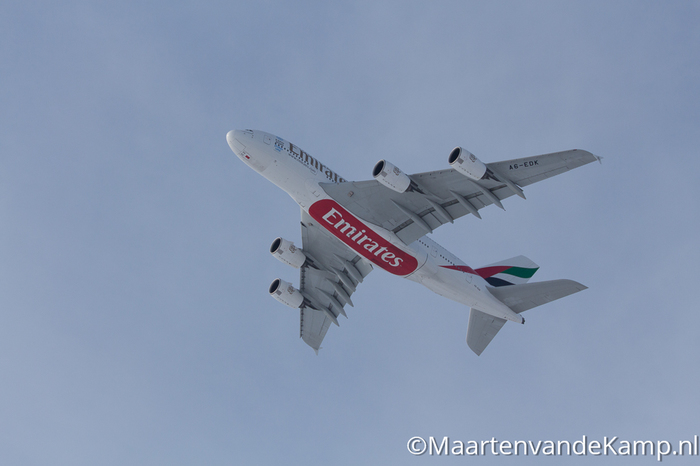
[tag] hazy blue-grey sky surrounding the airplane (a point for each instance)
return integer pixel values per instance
(135, 323)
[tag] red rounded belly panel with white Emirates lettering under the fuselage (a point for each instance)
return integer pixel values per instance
(361, 238)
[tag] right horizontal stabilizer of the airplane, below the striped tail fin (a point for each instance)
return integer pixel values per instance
(528, 295)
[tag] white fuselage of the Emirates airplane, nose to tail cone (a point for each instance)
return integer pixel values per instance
(423, 261)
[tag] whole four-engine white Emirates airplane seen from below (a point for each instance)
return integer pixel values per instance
(350, 227)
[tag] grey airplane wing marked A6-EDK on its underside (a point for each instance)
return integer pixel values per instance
(447, 194)
